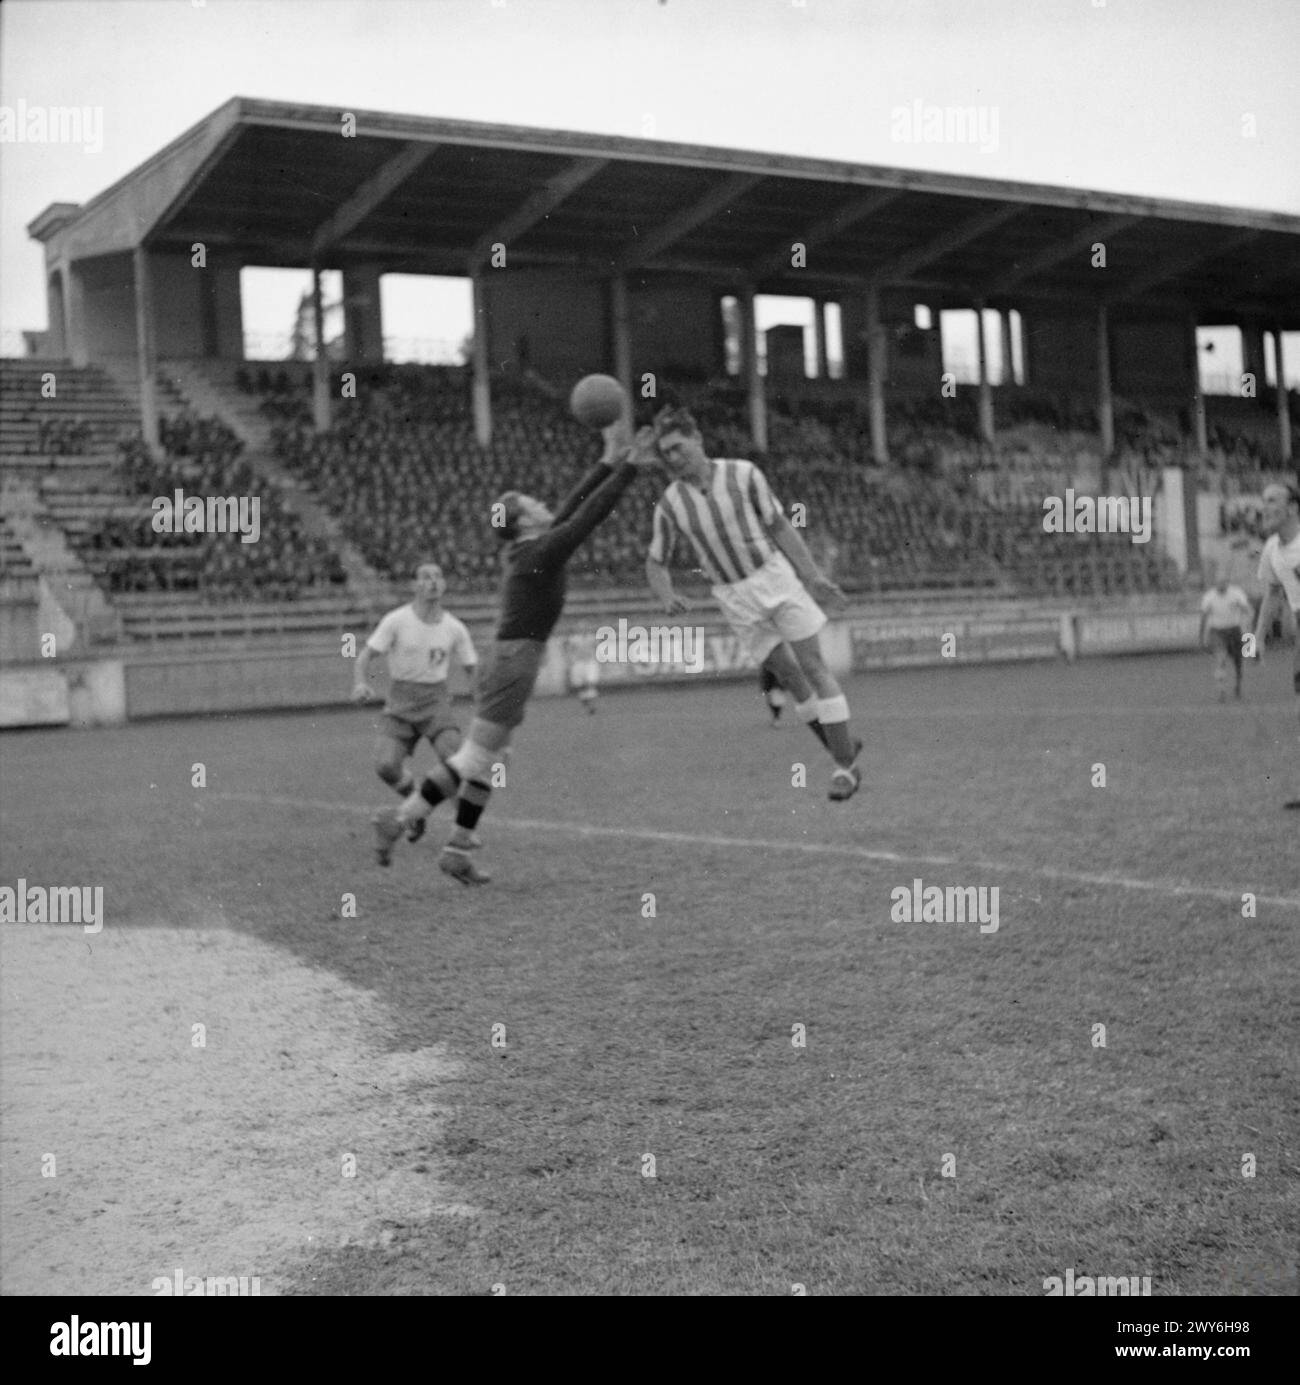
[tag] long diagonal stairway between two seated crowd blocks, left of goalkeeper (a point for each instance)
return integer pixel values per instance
(208, 388)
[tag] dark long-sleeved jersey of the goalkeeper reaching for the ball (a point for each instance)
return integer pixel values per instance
(534, 592)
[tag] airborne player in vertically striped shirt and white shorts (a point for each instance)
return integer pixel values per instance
(764, 578)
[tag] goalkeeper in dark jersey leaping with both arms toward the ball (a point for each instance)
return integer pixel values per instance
(541, 545)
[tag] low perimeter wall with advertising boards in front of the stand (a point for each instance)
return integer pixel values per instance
(106, 693)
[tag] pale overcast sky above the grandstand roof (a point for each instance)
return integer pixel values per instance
(1182, 99)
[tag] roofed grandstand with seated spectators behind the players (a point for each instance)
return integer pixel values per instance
(921, 495)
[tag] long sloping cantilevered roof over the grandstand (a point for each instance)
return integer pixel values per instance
(278, 184)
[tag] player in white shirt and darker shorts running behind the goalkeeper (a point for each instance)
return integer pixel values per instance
(420, 642)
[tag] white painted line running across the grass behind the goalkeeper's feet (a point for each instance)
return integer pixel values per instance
(527, 825)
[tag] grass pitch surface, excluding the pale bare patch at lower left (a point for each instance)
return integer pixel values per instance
(928, 1046)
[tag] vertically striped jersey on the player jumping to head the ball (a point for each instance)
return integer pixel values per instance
(726, 521)
